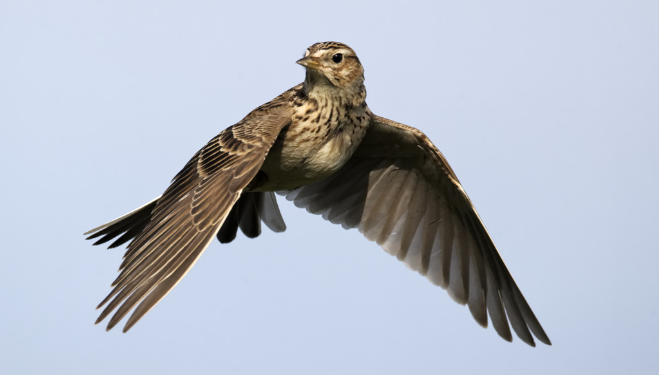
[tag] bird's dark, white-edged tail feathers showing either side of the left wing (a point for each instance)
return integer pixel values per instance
(246, 214)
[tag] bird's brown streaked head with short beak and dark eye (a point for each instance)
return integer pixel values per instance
(332, 64)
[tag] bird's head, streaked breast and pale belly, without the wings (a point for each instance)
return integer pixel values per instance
(328, 122)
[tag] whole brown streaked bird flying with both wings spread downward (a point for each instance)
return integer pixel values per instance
(319, 145)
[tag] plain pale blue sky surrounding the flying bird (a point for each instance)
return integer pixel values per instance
(547, 111)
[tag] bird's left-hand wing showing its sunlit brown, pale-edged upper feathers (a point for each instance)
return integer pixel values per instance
(180, 224)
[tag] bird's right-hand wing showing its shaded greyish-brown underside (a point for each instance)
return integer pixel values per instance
(400, 191)
